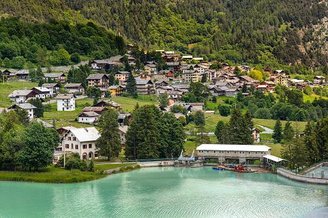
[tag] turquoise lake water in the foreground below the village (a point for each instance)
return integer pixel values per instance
(165, 192)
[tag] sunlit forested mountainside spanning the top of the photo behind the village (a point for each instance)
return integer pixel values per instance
(263, 32)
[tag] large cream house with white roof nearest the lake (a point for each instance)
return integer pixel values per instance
(81, 141)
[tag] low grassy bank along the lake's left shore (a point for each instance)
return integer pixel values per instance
(51, 175)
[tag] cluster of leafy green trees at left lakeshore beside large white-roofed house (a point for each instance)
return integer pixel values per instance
(20, 149)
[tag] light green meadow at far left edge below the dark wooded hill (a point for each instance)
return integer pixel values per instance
(9, 87)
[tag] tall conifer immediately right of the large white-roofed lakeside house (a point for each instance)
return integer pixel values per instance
(109, 142)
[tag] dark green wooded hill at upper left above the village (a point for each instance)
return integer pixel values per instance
(24, 44)
